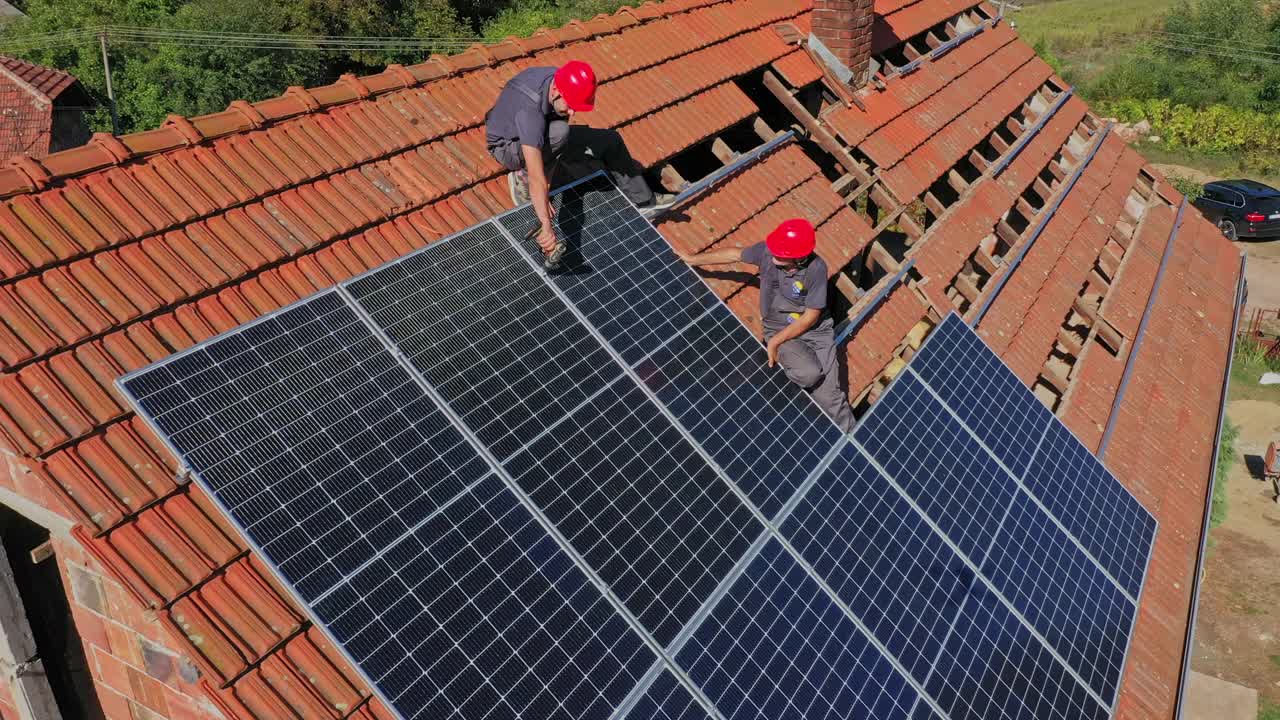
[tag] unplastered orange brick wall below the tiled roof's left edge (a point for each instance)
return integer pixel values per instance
(138, 673)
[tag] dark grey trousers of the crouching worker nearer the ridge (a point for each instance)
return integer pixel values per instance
(577, 152)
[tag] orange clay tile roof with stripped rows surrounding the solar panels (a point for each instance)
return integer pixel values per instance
(124, 252)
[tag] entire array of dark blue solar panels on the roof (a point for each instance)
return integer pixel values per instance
(584, 495)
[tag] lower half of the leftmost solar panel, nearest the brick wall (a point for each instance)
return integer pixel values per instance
(479, 614)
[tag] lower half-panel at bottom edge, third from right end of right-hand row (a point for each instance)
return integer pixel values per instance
(994, 668)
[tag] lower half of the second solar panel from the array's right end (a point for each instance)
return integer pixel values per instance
(1081, 613)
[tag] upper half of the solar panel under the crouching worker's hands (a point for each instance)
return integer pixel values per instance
(618, 271)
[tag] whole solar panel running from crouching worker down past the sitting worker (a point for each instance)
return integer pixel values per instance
(700, 361)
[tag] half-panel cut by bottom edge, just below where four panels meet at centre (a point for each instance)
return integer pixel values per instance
(778, 646)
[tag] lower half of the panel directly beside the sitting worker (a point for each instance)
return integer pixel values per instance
(761, 429)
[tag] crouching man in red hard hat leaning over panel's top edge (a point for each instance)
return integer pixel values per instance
(529, 134)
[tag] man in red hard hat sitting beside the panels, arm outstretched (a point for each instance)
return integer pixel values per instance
(798, 329)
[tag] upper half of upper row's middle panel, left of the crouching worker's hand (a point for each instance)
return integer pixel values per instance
(488, 334)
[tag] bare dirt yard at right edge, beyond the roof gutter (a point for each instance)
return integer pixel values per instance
(1238, 628)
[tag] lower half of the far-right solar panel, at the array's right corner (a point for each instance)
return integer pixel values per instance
(1092, 504)
